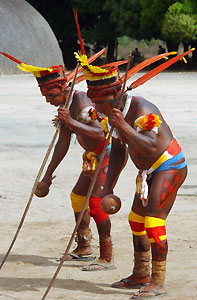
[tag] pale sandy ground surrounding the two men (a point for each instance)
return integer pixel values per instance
(25, 134)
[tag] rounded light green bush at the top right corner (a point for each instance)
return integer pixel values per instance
(180, 24)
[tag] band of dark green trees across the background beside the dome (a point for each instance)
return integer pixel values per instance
(104, 22)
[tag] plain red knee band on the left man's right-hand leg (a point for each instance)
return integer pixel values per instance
(95, 210)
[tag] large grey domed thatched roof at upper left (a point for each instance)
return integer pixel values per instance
(26, 35)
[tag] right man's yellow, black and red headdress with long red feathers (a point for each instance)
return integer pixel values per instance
(101, 81)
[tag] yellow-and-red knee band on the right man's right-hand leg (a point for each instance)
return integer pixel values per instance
(155, 228)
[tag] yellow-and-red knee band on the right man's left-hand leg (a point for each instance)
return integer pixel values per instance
(136, 223)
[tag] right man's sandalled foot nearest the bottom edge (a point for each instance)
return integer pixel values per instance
(150, 291)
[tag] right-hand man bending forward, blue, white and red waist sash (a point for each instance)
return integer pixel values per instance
(139, 125)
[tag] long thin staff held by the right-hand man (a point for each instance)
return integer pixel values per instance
(89, 191)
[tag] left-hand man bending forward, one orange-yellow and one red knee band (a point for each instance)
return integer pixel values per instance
(80, 117)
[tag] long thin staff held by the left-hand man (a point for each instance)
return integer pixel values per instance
(40, 172)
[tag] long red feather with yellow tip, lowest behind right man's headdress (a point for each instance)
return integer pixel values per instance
(157, 70)
